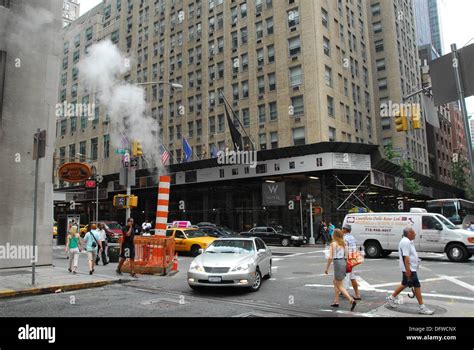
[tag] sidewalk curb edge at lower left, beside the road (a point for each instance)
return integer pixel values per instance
(4, 294)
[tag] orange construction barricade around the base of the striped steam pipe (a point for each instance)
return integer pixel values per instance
(153, 255)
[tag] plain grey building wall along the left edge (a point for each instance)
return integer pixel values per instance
(28, 94)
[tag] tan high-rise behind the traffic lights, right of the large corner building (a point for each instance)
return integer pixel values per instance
(397, 75)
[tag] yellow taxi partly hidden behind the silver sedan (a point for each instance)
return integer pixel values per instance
(189, 240)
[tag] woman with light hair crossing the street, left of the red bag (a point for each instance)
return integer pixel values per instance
(338, 252)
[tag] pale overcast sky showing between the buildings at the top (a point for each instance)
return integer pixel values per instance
(456, 17)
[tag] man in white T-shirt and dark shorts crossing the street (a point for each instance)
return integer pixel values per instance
(409, 262)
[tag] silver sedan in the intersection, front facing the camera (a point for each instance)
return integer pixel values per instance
(232, 262)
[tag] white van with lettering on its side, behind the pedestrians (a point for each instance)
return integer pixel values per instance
(380, 234)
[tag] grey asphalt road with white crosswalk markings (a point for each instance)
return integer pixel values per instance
(298, 288)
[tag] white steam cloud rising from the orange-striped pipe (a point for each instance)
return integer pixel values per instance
(102, 71)
